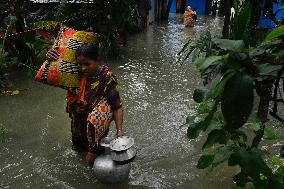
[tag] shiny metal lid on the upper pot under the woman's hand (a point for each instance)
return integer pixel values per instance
(121, 143)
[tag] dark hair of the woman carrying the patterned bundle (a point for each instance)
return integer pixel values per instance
(89, 51)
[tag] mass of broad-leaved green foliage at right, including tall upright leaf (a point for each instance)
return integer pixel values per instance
(225, 106)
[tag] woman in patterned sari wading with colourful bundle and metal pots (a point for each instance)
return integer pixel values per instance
(94, 105)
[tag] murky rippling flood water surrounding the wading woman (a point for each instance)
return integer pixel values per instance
(156, 93)
